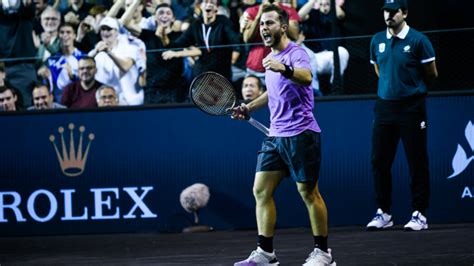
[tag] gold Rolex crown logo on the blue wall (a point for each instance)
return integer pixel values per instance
(72, 161)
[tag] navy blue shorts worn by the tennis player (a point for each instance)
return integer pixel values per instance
(299, 156)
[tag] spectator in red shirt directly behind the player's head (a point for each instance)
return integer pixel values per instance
(249, 24)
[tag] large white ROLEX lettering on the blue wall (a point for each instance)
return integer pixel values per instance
(106, 205)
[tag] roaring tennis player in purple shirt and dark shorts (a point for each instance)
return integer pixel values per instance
(293, 148)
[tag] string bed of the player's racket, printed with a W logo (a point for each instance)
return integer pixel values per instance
(213, 94)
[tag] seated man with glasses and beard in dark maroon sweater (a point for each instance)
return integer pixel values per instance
(81, 93)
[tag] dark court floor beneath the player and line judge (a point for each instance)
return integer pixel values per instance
(442, 244)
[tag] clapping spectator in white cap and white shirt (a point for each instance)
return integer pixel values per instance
(115, 59)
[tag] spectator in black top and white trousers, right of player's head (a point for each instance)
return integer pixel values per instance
(317, 24)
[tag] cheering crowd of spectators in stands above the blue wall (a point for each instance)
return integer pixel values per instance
(78, 54)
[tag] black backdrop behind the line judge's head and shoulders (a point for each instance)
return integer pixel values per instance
(441, 21)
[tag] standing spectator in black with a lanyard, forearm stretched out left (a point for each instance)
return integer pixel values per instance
(210, 30)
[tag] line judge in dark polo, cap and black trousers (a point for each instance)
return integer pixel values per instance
(404, 61)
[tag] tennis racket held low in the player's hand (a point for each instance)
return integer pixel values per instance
(214, 95)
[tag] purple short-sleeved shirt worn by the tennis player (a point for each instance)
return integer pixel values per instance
(291, 105)
